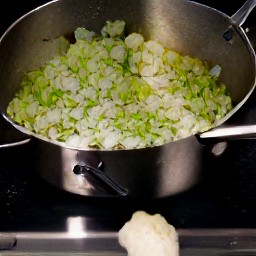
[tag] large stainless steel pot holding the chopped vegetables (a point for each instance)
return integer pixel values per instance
(185, 26)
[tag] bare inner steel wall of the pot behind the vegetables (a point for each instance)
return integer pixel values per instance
(184, 26)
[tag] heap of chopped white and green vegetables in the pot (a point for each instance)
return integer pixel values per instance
(111, 91)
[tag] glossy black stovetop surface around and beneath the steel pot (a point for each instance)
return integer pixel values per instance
(225, 198)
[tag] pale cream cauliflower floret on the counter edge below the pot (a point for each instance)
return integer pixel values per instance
(149, 235)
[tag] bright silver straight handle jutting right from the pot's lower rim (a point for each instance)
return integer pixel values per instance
(236, 132)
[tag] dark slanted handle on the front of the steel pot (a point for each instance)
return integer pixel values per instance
(97, 173)
